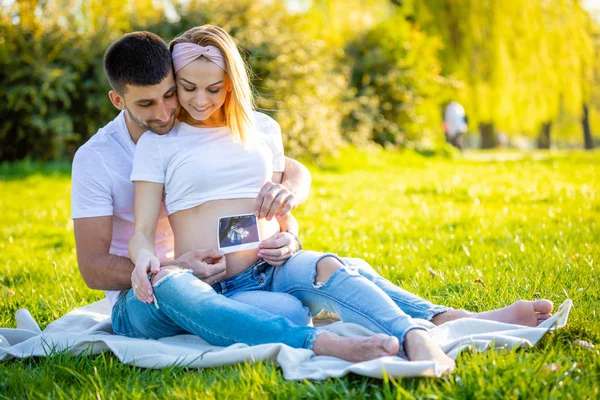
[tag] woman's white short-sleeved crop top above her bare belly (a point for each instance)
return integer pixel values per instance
(197, 165)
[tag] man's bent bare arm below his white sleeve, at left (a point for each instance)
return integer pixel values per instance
(99, 269)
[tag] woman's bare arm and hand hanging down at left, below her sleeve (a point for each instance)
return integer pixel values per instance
(148, 197)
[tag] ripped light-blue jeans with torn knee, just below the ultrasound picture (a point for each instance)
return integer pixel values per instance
(353, 297)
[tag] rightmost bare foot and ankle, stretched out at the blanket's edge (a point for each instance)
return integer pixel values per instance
(522, 312)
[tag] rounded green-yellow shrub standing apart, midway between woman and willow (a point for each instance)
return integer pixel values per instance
(397, 86)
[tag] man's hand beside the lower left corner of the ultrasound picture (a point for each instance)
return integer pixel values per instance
(208, 265)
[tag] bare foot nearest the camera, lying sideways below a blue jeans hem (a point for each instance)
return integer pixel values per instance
(356, 349)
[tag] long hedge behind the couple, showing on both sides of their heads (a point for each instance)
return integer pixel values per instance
(55, 91)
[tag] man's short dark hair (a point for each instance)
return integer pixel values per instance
(138, 58)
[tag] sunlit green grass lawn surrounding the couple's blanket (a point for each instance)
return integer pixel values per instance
(526, 228)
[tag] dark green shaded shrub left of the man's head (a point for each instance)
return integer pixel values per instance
(53, 89)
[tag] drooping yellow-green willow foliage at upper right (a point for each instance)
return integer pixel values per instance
(523, 62)
